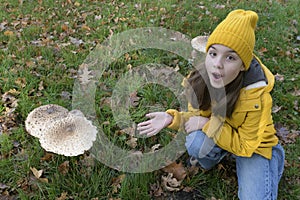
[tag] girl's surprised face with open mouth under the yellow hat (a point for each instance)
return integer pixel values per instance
(222, 65)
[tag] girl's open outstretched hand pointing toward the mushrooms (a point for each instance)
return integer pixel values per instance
(158, 121)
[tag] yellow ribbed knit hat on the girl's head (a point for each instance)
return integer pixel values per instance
(236, 31)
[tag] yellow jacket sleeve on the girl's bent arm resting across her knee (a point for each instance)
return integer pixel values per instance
(245, 139)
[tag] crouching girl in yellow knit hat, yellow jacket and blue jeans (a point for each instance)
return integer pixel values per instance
(246, 128)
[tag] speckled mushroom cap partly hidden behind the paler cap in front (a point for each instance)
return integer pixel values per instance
(40, 118)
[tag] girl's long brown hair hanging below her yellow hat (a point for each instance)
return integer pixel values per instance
(203, 96)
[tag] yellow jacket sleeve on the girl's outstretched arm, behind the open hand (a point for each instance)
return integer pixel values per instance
(179, 118)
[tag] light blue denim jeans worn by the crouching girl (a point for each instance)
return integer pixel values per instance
(258, 177)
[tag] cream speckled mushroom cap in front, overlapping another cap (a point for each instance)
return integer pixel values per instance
(70, 136)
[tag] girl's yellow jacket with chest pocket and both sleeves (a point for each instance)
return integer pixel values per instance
(249, 130)
